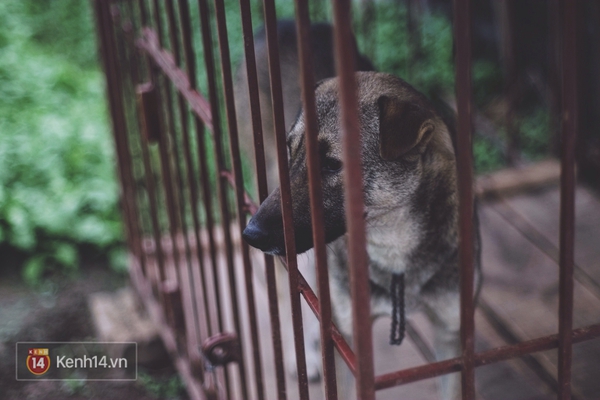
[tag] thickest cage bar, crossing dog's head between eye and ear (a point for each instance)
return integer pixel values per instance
(354, 201)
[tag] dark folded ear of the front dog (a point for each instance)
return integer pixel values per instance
(402, 126)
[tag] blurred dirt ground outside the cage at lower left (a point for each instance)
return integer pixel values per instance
(58, 311)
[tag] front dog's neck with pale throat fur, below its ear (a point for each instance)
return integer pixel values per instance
(409, 236)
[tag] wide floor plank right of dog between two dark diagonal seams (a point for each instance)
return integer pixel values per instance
(521, 286)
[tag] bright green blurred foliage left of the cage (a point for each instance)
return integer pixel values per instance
(57, 174)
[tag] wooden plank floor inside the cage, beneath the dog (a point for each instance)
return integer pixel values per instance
(519, 301)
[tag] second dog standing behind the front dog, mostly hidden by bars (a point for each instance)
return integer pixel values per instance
(321, 44)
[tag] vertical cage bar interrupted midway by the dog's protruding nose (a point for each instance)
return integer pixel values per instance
(261, 177)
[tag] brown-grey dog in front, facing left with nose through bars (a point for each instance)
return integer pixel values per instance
(411, 207)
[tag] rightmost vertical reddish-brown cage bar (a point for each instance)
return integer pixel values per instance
(567, 197)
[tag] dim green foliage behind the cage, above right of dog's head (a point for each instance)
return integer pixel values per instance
(424, 58)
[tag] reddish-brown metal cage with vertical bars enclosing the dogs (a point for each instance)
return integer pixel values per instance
(182, 235)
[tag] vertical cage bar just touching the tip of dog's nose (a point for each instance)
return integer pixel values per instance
(239, 188)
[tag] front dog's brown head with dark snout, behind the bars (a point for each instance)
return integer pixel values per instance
(399, 131)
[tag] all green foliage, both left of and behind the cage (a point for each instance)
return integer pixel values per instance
(57, 174)
